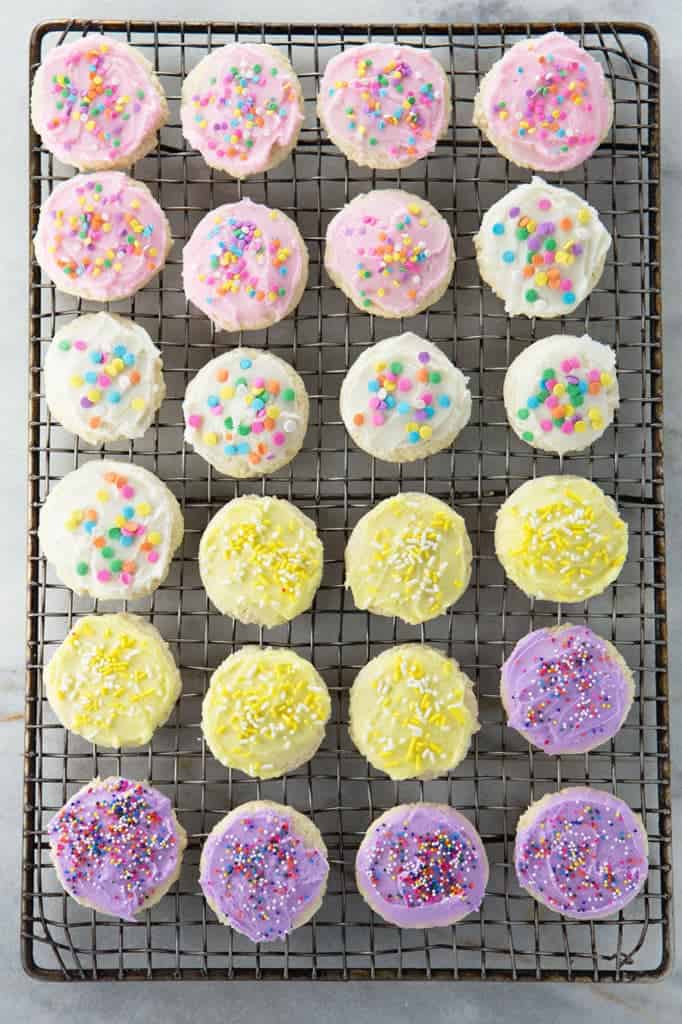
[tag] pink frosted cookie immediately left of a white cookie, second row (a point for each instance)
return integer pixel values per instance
(391, 252)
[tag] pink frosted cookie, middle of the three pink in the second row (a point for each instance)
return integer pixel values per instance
(245, 267)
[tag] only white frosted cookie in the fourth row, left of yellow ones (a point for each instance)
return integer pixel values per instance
(111, 530)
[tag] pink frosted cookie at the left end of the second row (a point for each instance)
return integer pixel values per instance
(102, 237)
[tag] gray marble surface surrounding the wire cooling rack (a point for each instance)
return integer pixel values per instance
(34, 1003)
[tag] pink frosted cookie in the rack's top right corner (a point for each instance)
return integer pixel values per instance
(546, 105)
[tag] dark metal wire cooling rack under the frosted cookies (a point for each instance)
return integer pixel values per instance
(513, 937)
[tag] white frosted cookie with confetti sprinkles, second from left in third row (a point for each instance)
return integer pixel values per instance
(246, 413)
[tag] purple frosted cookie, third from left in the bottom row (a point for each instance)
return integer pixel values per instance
(422, 866)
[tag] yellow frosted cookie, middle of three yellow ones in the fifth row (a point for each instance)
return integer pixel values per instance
(266, 712)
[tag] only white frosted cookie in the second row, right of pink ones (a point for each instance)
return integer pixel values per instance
(542, 250)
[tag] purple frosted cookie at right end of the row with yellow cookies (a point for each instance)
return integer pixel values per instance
(567, 690)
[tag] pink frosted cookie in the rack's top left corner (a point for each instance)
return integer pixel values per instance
(98, 104)
